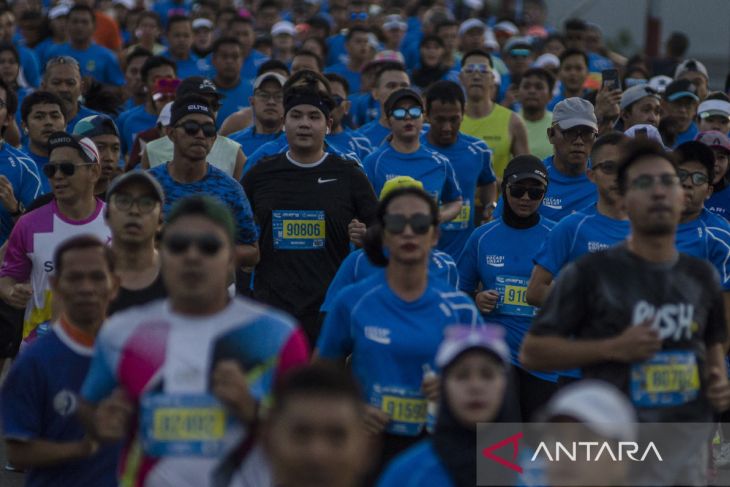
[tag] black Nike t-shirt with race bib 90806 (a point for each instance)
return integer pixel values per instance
(303, 213)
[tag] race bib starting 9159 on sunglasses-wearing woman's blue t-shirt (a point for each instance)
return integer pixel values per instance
(407, 409)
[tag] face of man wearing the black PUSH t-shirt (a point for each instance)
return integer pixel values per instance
(653, 197)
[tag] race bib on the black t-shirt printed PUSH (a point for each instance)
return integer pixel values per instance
(668, 379)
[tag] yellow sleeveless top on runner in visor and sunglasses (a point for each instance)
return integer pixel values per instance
(494, 130)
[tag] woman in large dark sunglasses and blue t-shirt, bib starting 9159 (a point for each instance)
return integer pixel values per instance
(391, 323)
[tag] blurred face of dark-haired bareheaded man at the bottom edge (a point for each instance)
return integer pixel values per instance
(315, 441)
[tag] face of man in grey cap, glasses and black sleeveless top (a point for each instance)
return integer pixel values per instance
(133, 214)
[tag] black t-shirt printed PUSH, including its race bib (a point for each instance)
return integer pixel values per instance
(602, 294)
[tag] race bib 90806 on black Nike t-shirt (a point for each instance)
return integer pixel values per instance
(298, 229)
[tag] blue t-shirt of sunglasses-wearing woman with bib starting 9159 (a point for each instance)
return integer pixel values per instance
(391, 340)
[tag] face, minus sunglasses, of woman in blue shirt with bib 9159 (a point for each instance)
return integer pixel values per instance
(409, 247)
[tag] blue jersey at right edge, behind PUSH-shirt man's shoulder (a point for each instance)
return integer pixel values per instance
(707, 237)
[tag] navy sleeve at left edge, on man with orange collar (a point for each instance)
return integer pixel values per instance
(22, 400)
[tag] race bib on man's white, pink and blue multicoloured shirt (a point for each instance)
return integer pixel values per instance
(182, 425)
